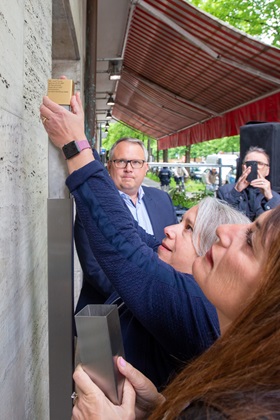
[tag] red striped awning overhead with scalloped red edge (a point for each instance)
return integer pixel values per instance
(183, 68)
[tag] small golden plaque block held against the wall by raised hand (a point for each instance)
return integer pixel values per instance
(60, 91)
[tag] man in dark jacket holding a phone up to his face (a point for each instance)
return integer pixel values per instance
(251, 196)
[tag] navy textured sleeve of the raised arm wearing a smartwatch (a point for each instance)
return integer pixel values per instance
(169, 304)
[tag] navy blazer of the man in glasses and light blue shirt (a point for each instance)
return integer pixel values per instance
(96, 288)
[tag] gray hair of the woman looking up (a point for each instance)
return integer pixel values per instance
(211, 214)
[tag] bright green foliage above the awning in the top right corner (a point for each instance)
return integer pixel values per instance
(255, 17)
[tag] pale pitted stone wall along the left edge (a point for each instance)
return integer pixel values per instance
(26, 64)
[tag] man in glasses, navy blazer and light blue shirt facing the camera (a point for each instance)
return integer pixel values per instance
(150, 207)
